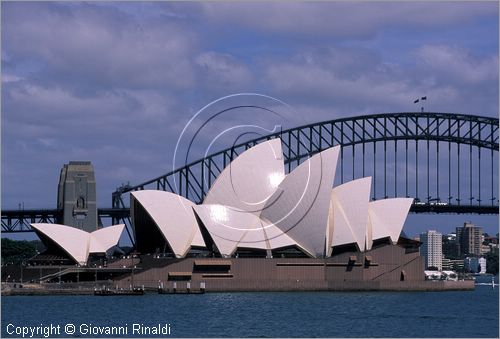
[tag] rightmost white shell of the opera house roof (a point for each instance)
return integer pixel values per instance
(387, 217)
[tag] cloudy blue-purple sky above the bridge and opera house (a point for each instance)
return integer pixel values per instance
(117, 82)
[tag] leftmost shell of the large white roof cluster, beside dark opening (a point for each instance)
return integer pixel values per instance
(173, 215)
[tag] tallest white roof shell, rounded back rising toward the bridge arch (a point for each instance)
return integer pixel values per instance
(250, 179)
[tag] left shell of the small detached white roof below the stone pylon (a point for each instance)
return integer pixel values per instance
(72, 240)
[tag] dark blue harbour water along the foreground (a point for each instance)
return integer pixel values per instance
(305, 314)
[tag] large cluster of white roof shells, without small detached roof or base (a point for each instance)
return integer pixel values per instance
(255, 209)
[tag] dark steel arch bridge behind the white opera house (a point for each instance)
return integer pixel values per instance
(447, 162)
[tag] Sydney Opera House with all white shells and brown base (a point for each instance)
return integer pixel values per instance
(259, 228)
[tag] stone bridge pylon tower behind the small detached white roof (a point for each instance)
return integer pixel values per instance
(76, 195)
